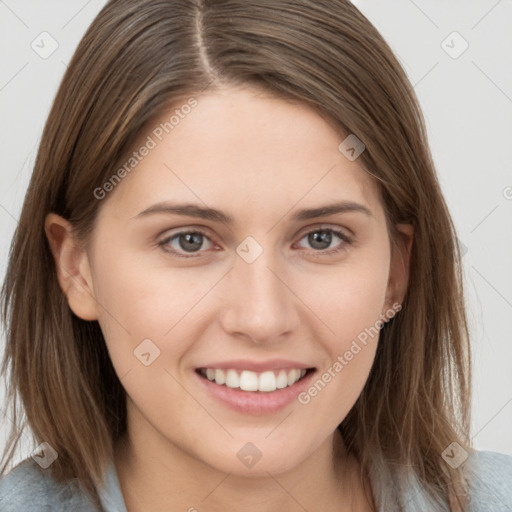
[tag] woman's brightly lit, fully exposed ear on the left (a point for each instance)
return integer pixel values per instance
(72, 265)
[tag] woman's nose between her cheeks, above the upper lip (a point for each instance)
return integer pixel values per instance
(258, 302)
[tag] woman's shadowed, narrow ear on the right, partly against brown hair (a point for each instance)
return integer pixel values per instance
(399, 266)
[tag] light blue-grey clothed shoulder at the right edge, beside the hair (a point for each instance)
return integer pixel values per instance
(490, 479)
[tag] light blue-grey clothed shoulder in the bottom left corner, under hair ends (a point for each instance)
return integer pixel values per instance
(31, 488)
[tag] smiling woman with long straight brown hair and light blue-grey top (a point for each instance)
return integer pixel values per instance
(204, 166)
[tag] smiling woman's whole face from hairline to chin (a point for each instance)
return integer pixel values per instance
(271, 289)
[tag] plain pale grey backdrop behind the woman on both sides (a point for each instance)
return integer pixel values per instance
(458, 56)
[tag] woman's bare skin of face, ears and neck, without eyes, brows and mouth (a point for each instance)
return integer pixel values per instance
(260, 159)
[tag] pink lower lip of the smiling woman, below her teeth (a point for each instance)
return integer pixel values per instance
(256, 402)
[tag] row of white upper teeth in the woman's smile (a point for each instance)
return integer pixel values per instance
(251, 381)
